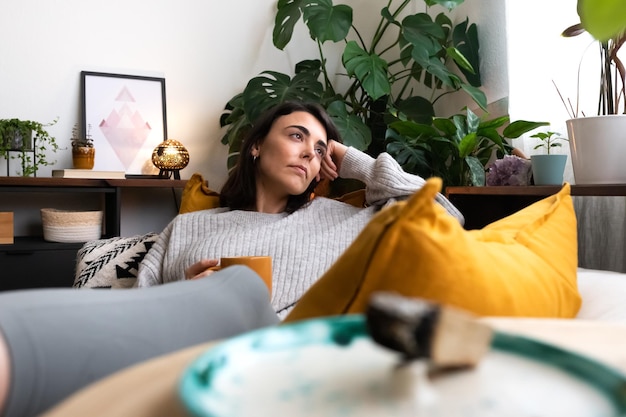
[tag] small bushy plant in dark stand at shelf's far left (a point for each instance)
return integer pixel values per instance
(28, 141)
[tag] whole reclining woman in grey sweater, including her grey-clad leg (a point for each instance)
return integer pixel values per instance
(53, 342)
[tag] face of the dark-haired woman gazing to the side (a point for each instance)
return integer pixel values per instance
(290, 155)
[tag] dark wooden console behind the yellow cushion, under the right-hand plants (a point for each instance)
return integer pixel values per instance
(484, 205)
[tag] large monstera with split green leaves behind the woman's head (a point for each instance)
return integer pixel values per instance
(395, 76)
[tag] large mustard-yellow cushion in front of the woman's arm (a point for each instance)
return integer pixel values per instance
(522, 265)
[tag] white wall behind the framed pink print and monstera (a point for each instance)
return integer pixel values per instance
(206, 51)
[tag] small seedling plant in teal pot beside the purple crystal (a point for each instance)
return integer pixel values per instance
(548, 168)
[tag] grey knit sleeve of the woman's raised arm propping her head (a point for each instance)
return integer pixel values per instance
(385, 179)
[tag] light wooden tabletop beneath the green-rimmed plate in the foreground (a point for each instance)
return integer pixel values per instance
(149, 389)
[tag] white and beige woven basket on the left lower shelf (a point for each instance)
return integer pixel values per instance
(71, 226)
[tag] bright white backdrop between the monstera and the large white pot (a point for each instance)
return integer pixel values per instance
(540, 57)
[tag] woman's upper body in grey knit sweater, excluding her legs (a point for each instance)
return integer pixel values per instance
(267, 207)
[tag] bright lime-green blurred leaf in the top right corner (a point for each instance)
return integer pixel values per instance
(604, 19)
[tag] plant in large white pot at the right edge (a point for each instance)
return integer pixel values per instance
(597, 142)
